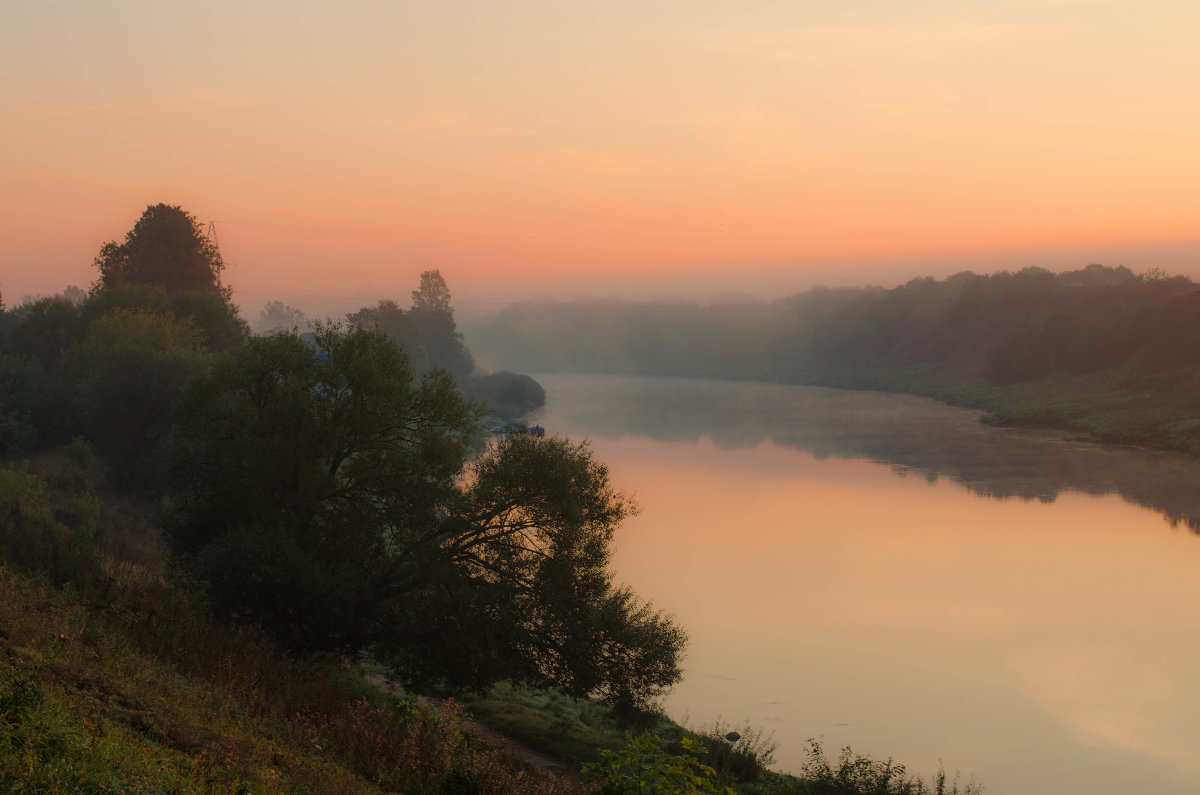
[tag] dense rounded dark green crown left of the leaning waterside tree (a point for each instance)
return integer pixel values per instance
(309, 483)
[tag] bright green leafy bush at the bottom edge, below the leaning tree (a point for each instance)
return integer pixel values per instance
(644, 767)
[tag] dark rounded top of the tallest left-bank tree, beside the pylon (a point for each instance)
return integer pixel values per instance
(166, 248)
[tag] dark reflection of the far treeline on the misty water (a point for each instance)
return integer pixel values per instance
(914, 437)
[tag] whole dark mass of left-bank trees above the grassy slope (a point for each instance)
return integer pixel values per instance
(326, 488)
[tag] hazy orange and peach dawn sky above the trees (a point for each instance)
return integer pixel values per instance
(537, 148)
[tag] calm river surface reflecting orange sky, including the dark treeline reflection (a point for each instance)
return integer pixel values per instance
(885, 572)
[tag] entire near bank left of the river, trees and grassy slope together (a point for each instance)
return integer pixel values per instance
(207, 536)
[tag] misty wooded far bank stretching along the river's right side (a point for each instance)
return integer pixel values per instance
(1027, 345)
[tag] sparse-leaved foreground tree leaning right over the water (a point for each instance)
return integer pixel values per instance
(531, 542)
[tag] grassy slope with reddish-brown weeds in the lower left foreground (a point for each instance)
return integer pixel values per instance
(113, 682)
